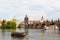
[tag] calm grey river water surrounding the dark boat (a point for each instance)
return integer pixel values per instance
(34, 34)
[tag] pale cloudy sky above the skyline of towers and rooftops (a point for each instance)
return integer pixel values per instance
(35, 9)
